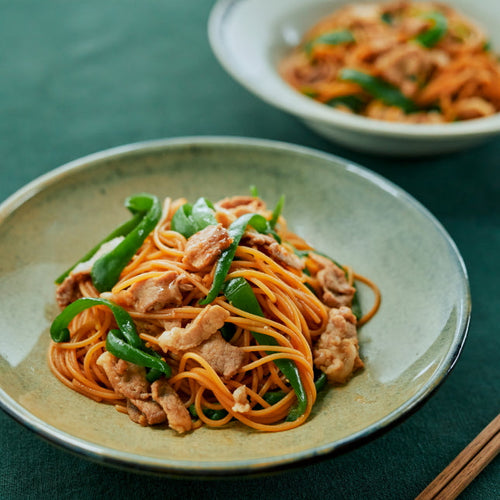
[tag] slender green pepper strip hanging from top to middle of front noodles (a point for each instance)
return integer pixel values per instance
(236, 231)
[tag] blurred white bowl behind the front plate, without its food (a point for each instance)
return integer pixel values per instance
(250, 37)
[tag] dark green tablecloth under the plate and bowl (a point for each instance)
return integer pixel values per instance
(79, 77)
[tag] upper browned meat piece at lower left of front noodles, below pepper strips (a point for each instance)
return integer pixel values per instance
(126, 378)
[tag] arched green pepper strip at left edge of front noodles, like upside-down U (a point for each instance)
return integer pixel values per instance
(59, 328)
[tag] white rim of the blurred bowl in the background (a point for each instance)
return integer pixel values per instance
(308, 109)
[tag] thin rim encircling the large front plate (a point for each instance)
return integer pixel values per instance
(140, 463)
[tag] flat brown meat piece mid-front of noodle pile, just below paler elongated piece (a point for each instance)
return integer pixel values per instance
(225, 358)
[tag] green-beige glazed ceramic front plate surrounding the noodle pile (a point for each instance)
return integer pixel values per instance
(346, 211)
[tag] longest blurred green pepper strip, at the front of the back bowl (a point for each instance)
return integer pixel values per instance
(379, 89)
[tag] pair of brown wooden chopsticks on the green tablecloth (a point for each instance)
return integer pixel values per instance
(466, 466)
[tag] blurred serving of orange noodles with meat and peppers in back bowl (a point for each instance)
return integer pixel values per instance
(405, 61)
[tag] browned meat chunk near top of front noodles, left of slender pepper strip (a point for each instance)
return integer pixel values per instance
(204, 247)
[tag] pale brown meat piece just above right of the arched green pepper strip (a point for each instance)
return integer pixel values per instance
(152, 294)
